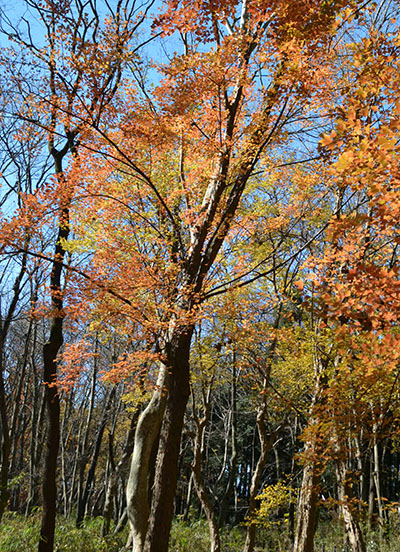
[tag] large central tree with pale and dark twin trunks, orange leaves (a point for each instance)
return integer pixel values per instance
(211, 111)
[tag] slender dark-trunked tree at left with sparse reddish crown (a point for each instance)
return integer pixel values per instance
(79, 86)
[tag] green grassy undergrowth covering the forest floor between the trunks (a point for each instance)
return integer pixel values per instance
(20, 534)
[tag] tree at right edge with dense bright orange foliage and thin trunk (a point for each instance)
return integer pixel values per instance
(359, 264)
